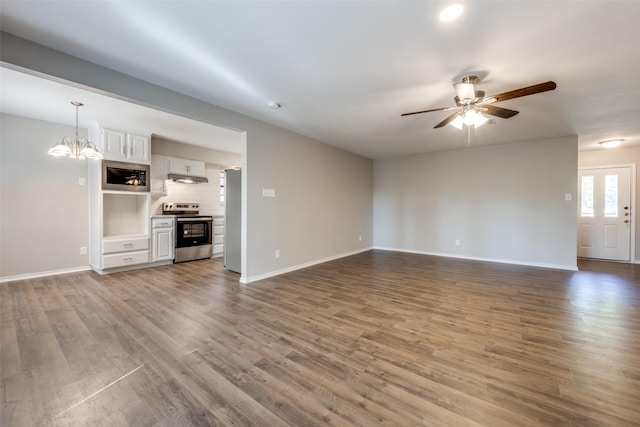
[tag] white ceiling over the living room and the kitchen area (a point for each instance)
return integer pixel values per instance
(344, 71)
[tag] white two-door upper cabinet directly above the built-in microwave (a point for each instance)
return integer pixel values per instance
(122, 146)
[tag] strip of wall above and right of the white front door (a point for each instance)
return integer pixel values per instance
(614, 157)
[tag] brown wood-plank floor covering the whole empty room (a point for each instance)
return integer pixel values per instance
(379, 338)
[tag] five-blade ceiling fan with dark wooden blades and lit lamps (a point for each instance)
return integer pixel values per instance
(473, 104)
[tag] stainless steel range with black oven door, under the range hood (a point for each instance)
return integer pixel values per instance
(193, 231)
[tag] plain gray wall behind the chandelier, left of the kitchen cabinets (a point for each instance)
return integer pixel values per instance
(44, 212)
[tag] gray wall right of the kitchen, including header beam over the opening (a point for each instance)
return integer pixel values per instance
(298, 168)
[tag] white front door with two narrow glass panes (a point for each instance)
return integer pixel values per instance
(604, 213)
